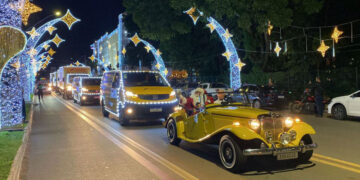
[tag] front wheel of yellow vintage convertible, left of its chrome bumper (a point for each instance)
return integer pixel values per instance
(231, 154)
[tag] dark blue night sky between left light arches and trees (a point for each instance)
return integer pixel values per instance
(97, 18)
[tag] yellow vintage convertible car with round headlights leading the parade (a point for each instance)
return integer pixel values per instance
(242, 131)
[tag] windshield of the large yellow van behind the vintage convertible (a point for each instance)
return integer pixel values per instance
(143, 79)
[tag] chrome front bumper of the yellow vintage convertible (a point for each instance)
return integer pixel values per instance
(276, 151)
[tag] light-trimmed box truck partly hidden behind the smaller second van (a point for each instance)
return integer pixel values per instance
(66, 74)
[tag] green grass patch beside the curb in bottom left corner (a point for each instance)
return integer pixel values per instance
(9, 143)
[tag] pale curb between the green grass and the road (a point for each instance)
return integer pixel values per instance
(18, 160)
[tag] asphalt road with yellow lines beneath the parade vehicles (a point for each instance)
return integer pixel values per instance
(69, 141)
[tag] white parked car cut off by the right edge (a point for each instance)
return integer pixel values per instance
(343, 106)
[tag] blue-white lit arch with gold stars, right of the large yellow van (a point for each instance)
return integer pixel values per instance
(230, 53)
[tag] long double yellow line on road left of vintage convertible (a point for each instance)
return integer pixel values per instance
(182, 173)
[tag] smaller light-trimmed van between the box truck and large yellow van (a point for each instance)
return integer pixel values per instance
(86, 90)
